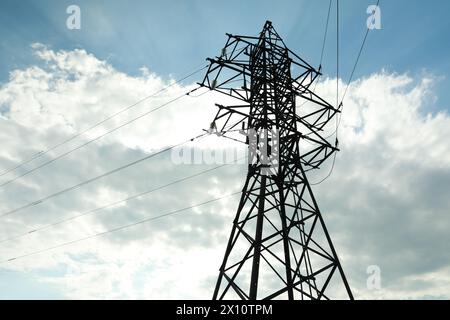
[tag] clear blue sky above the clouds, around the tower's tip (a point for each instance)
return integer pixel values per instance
(169, 37)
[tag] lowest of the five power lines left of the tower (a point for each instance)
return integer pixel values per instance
(118, 228)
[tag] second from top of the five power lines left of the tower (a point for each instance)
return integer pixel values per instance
(96, 138)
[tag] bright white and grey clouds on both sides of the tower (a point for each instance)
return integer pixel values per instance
(385, 204)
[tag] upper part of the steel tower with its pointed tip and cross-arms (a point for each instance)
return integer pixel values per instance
(273, 87)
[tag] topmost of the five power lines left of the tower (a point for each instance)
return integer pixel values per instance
(80, 133)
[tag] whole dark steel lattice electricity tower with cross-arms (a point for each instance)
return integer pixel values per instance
(279, 247)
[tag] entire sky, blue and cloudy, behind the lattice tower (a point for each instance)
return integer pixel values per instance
(386, 203)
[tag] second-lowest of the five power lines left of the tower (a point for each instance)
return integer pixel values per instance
(115, 203)
